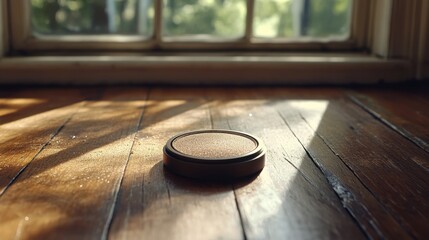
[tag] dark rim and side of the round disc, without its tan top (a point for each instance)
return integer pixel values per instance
(198, 167)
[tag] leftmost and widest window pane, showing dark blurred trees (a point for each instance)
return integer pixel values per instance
(59, 17)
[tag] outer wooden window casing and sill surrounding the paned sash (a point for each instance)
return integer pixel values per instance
(385, 52)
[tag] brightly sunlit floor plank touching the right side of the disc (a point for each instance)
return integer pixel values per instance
(290, 199)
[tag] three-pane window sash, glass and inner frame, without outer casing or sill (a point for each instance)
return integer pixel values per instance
(185, 24)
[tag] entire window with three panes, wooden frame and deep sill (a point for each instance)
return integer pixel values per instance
(253, 41)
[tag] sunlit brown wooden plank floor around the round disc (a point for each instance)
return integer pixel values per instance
(86, 163)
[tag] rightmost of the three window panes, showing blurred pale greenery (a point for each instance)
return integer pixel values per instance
(294, 19)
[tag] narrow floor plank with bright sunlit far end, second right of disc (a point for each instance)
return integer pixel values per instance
(356, 198)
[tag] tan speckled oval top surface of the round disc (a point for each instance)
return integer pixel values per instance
(214, 145)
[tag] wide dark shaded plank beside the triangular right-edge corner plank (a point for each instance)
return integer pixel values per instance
(384, 161)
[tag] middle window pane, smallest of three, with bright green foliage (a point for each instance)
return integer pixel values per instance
(216, 18)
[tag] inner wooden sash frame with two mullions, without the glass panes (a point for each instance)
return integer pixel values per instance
(24, 40)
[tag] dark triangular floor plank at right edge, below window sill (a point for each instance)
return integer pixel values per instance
(405, 112)
